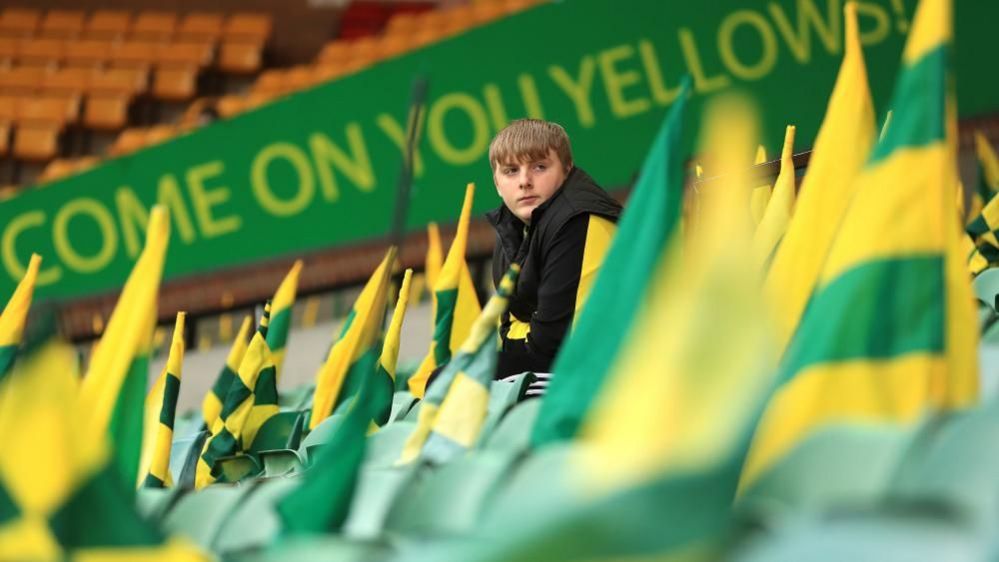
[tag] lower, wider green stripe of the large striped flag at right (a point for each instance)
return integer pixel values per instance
(877, 310)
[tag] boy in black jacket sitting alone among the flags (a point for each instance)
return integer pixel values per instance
(557, 223)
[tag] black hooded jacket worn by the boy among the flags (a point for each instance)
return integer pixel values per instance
(550, 252)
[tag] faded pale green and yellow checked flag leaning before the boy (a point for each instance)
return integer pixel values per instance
(459, 418)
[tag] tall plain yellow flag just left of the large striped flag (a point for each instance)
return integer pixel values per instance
(843, 143)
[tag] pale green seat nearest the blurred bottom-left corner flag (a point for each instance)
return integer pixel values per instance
(199, 515)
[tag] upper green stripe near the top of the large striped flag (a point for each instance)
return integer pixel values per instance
(919, 106)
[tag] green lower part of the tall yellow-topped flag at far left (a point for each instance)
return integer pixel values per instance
(127, 418)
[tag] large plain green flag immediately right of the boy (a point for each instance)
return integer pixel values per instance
(645, 229)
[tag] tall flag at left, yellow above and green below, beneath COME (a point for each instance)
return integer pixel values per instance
(114, 388)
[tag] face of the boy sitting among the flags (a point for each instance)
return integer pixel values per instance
(526, 185)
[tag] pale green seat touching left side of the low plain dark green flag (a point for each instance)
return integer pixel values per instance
(254, 522)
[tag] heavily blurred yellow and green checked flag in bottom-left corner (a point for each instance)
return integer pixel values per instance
(60, 498)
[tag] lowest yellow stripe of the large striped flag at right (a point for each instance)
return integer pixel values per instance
(895, 390)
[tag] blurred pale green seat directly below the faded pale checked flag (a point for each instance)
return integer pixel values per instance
(451, 499)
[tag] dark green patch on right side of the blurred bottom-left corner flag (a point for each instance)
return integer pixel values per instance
(100, 513)
